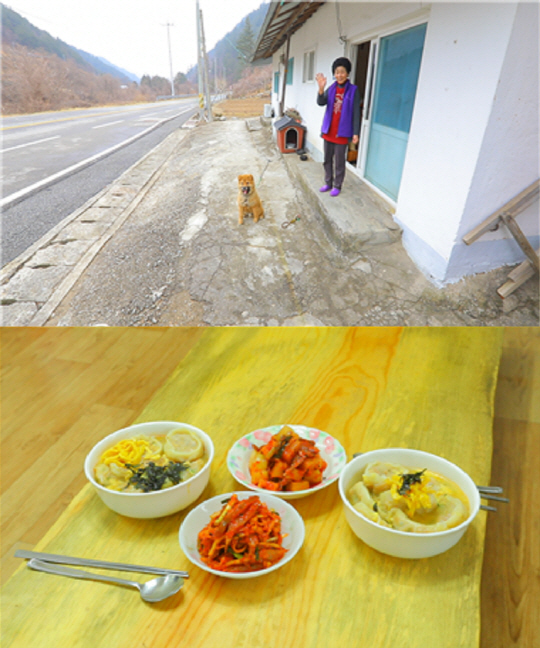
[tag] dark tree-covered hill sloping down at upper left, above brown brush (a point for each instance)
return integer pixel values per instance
(16, 30)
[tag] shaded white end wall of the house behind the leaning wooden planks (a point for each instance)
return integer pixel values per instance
(509, 156)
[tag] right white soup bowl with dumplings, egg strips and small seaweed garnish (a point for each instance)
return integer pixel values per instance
(407, 503)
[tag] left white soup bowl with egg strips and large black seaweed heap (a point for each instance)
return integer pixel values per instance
(150, 470)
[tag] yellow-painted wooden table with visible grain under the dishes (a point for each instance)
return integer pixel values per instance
(427, 388)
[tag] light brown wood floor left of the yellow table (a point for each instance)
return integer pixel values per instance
(62, 390)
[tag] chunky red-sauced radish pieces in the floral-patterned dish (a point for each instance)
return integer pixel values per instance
(286, 463)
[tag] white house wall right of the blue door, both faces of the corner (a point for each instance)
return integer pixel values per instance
(455, 152)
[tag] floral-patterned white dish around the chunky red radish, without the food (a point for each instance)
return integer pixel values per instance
(330, 450)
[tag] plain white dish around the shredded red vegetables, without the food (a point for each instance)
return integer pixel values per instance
(291, 524)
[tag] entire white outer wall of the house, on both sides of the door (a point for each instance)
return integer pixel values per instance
(473, 142)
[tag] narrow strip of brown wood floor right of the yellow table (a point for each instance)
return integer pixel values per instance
(511, 571)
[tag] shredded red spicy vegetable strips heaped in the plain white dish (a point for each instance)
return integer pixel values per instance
(245, 535)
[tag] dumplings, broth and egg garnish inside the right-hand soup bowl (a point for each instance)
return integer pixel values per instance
(412, 500)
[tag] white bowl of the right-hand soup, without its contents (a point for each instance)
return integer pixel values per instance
(400, 543)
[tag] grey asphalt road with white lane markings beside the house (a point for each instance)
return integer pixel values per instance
(78, 136)
